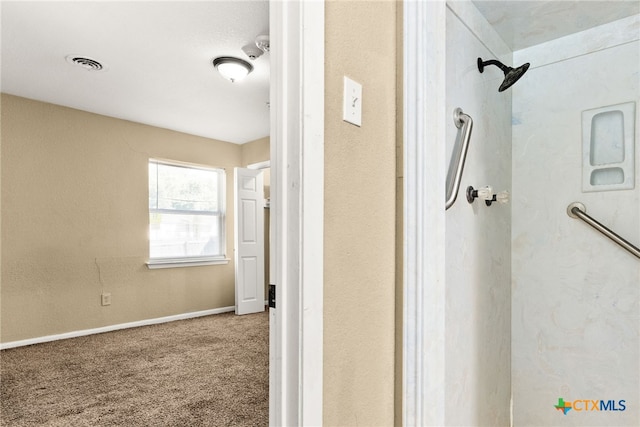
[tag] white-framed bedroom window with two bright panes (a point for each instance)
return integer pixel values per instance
(186, 214)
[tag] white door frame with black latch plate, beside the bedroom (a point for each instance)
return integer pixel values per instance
(297, 197)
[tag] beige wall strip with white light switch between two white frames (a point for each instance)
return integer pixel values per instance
(360, 213)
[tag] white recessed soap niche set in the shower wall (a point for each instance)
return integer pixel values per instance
(608, 148)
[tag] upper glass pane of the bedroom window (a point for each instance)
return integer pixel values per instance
(186, 188)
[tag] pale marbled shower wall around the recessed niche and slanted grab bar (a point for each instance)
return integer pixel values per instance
(575, 294)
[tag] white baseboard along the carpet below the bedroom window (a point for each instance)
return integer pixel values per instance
(110, 328)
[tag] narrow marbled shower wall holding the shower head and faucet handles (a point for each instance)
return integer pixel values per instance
(478, 237)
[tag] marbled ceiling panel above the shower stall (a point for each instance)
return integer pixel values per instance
(523, 24)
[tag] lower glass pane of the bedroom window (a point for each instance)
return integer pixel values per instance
(178, 235)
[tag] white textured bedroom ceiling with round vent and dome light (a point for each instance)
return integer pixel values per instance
(158, 57)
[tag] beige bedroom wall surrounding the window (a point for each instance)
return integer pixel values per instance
(75, 221)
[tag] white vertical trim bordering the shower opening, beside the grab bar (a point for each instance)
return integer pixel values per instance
(423, 362)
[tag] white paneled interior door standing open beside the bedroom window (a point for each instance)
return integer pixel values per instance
(249, 240)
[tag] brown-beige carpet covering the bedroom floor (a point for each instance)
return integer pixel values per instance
(208, 371)
